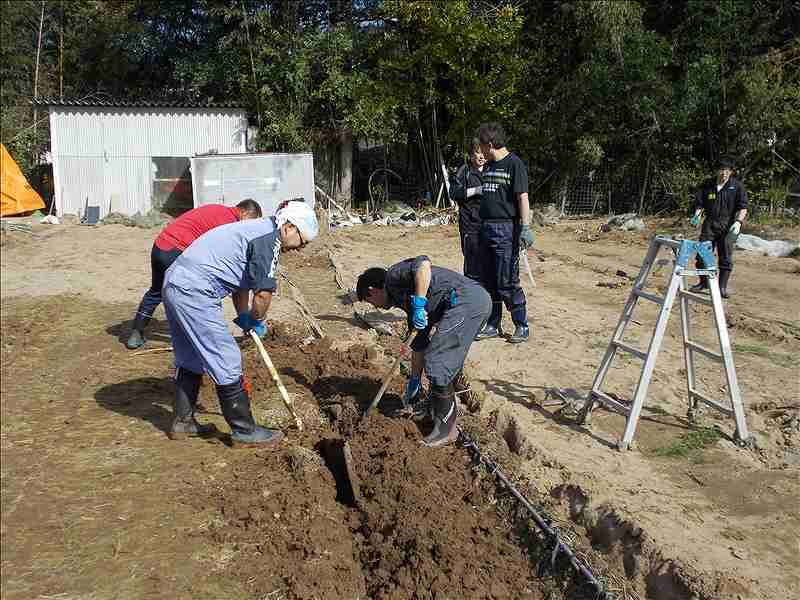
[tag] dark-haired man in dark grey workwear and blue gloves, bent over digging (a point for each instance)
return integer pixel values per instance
(432, 296)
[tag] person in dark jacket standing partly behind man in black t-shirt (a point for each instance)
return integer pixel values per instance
(465, 189)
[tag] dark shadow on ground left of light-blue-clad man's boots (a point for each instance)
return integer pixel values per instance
(146, 398)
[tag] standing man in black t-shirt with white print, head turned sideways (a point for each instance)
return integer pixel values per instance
(504, 214)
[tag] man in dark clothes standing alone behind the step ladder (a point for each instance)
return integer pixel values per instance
(724, 202)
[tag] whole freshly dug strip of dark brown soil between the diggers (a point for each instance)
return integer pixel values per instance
(427, 525)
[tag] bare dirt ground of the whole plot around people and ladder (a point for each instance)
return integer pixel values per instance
(98, 503)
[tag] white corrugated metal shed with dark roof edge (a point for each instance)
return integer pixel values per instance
(114, 155)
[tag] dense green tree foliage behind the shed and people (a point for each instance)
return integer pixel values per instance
(578, 84)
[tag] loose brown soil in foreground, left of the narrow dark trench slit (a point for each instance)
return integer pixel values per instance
(281, 529)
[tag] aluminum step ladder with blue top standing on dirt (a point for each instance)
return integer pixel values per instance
(684, 251)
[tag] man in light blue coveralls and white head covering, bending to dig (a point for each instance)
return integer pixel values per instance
(231, 259)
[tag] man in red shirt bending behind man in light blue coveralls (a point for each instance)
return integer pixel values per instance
(172, 241)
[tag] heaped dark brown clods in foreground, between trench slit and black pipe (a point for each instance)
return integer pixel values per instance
(420, 534)
